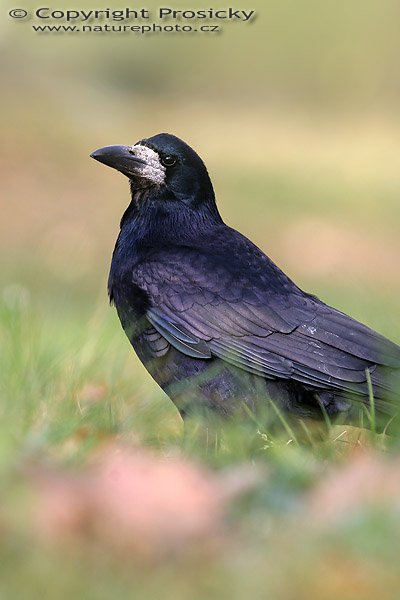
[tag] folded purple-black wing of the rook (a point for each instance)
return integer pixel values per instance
(251, 315)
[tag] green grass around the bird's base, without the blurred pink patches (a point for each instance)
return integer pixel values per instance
(71, 388)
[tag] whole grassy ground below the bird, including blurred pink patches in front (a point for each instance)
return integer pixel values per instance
(319, 520)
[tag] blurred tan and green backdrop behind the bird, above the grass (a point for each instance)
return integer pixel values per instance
(295, 114)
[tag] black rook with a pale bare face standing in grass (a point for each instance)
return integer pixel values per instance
(216, 323)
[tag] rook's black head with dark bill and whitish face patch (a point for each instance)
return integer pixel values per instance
(162, 164)
